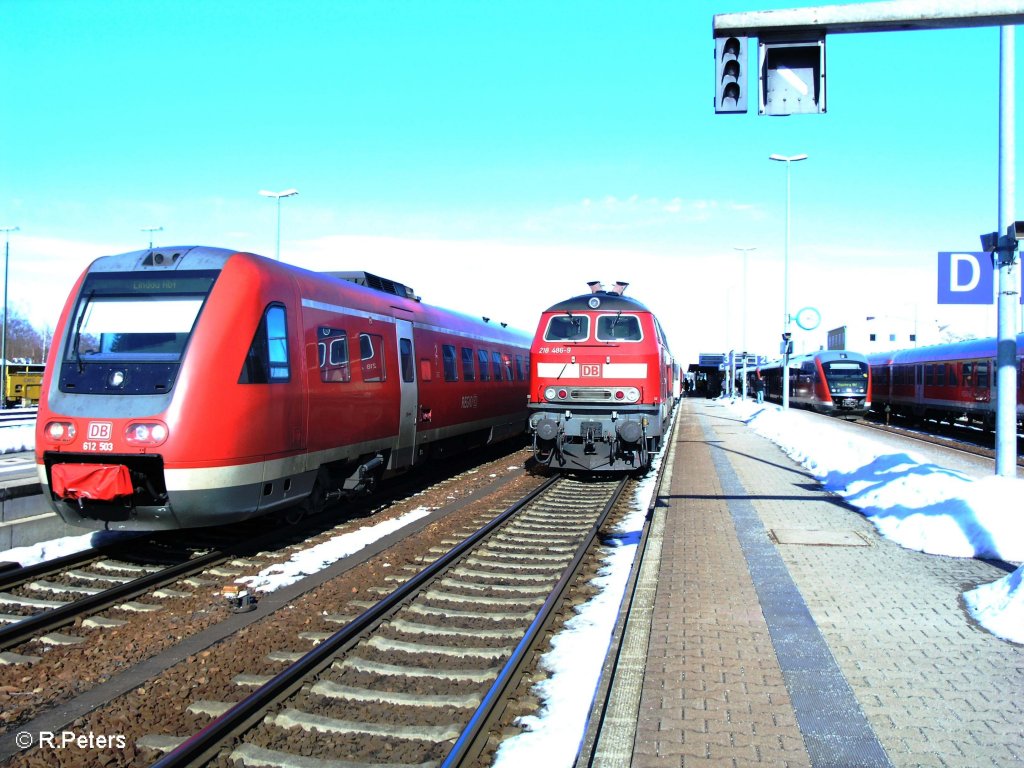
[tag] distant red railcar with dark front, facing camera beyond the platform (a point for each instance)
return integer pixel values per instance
(830, 381)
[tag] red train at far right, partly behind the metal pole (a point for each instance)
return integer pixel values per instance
(946, 382)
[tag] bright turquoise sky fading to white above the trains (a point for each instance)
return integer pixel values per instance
(497, 156)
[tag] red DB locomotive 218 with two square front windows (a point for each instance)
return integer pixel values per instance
(603, 383)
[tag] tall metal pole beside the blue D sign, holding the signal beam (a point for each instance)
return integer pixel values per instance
(1006, 356)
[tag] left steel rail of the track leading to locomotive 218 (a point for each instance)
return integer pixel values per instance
(201, 747)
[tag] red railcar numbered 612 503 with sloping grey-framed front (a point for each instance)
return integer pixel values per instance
(197, 387)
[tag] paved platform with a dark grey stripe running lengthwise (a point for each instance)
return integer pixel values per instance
(784, 631)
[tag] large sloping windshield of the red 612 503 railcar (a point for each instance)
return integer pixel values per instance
(130, 331)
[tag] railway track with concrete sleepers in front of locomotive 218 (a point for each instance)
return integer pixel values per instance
(421, 674)
